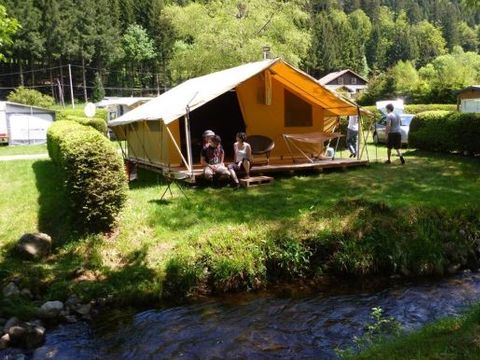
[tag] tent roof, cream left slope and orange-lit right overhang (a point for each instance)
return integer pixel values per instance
(197, 91)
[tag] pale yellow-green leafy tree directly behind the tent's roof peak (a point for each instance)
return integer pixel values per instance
(212, 37)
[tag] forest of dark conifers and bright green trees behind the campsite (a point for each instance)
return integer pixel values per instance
(422, 49)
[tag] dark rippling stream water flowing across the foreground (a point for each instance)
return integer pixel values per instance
(258, 326)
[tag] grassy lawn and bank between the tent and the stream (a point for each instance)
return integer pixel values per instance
(219, 240)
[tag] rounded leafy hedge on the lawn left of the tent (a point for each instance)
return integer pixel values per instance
(94, 174)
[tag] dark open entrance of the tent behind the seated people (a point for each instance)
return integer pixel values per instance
(222, 115)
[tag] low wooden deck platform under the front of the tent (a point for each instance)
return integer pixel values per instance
(275, 166)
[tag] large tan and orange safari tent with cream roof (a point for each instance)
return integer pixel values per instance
(269, 98)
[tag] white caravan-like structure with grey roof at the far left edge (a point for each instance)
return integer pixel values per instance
(26, 124)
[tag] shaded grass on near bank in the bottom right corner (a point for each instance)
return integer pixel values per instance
(450, 338)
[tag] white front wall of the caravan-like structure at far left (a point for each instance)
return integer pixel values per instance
(28, 129)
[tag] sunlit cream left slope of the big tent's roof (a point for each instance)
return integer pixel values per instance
(194, 92)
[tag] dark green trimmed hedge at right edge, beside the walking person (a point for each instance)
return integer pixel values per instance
(446, 132)
